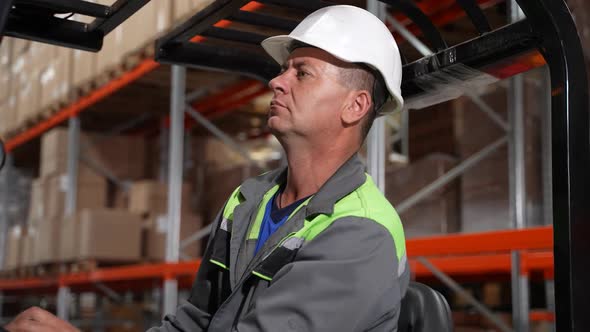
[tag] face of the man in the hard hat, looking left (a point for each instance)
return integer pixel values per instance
(308, 96)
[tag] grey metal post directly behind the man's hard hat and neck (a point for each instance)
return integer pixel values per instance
(376, 138)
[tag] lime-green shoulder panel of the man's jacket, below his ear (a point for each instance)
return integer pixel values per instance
(365, 202)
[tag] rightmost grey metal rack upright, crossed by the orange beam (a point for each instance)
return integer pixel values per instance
(516, 166)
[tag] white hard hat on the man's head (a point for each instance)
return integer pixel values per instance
(350, 34)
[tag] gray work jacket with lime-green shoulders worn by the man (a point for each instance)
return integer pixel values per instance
(349, 277)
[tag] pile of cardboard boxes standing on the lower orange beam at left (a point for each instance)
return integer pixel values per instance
(48, 194)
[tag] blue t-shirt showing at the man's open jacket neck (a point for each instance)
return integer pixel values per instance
(274, 218)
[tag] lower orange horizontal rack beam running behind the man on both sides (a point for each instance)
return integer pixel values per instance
(459, 256)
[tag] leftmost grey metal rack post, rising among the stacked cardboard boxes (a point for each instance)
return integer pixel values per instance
(63, 293)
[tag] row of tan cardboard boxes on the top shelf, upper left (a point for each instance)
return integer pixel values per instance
(41, 75)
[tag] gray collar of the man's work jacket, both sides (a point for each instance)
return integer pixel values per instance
(347, 178)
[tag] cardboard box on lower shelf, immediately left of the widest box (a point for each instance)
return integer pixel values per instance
(48, 238)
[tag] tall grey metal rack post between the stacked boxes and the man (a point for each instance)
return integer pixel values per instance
(177, 108)
